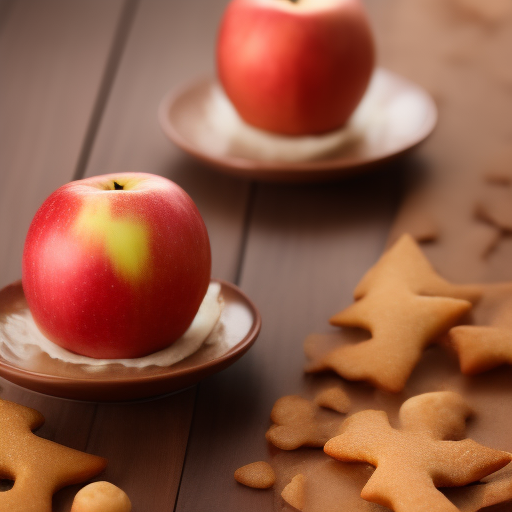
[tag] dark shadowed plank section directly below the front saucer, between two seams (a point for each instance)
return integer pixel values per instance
(145, 443)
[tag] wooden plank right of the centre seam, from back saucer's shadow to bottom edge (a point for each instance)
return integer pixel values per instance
(307, 248)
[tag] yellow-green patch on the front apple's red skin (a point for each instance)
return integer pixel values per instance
(125, 240)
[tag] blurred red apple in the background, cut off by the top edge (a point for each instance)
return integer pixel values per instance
(295, 70)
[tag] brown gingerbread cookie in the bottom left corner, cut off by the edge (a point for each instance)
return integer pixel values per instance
(38, 467)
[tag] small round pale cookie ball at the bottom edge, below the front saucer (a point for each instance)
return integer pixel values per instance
(101, 497)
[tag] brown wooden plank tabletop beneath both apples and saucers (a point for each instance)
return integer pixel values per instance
(80, 83)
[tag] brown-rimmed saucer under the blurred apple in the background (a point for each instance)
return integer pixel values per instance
(405, 116)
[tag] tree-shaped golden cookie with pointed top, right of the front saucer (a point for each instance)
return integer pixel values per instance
(406, 306)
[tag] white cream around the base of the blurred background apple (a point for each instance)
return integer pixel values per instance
(384, 119)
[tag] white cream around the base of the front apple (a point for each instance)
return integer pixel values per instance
(20, 339)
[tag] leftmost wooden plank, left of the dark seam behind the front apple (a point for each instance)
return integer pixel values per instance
(52, 71)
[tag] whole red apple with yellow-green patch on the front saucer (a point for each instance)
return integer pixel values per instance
(116, 273)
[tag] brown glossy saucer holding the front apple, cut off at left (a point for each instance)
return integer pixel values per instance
(241, 323)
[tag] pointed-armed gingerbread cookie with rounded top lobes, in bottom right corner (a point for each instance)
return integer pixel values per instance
(419, 457)
